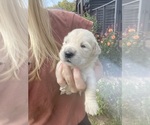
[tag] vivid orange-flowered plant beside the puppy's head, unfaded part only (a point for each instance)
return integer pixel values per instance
(109, 45)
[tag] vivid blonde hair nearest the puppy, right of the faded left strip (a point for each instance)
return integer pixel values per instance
(42, 44)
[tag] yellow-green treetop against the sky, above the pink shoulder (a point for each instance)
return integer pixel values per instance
(66, 5)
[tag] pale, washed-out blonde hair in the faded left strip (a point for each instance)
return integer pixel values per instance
(13, 28)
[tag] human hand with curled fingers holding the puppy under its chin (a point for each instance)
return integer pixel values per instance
(70, 80)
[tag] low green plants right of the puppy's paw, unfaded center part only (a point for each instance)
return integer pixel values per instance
(109, 101)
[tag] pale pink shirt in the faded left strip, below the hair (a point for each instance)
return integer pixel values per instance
(13, 95)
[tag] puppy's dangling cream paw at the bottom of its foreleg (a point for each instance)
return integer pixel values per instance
(91, 107)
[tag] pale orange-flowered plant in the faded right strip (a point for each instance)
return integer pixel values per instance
(133, 45)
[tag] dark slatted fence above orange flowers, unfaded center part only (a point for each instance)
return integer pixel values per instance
(109, 15)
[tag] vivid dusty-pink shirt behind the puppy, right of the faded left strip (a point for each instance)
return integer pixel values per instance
(46, 105)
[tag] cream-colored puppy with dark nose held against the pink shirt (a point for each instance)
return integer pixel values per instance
(80, 49)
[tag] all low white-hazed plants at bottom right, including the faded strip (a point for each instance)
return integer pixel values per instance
(123, 101)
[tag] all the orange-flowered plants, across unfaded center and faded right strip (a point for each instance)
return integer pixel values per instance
(131, 44)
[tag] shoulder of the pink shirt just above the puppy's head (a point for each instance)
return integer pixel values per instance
(62, 22)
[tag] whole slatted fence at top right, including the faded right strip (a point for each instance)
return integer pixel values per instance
(121, 14)
